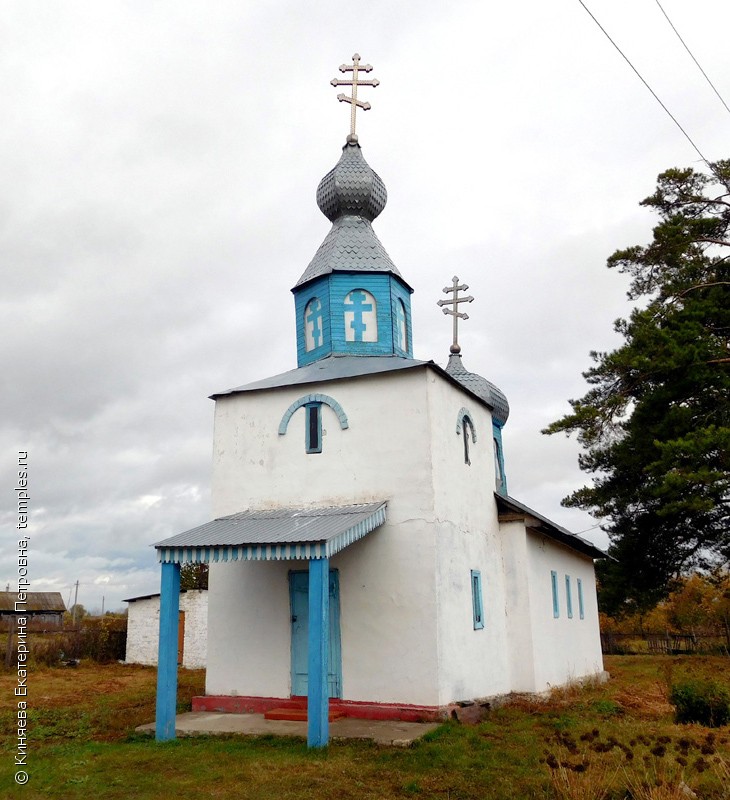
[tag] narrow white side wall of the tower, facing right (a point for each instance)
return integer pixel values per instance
(472, 663)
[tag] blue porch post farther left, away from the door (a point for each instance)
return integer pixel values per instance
(167, 652)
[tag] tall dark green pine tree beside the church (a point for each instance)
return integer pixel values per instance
(655, 426)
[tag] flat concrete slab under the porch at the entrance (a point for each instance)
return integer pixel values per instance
(197, 723)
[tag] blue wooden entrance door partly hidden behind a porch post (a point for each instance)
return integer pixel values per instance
(299, 595)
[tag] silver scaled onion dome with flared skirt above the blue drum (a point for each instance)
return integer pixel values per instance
(351, 195)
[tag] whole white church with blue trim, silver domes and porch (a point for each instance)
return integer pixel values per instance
(365, 554)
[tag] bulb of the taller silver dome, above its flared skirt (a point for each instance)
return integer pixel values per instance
(351, 187)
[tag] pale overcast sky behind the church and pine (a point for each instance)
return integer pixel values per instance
(160, 160)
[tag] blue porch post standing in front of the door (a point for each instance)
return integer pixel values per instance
(318, 644)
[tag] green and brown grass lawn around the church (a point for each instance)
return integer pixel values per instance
(613, 741)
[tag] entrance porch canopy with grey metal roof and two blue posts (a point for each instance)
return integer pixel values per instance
(312, 534)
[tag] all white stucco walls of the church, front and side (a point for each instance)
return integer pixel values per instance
(405, 590)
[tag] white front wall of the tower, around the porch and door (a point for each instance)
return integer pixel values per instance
(387, 598)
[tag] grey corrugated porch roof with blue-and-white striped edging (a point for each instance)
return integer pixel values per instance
(276, 534)
